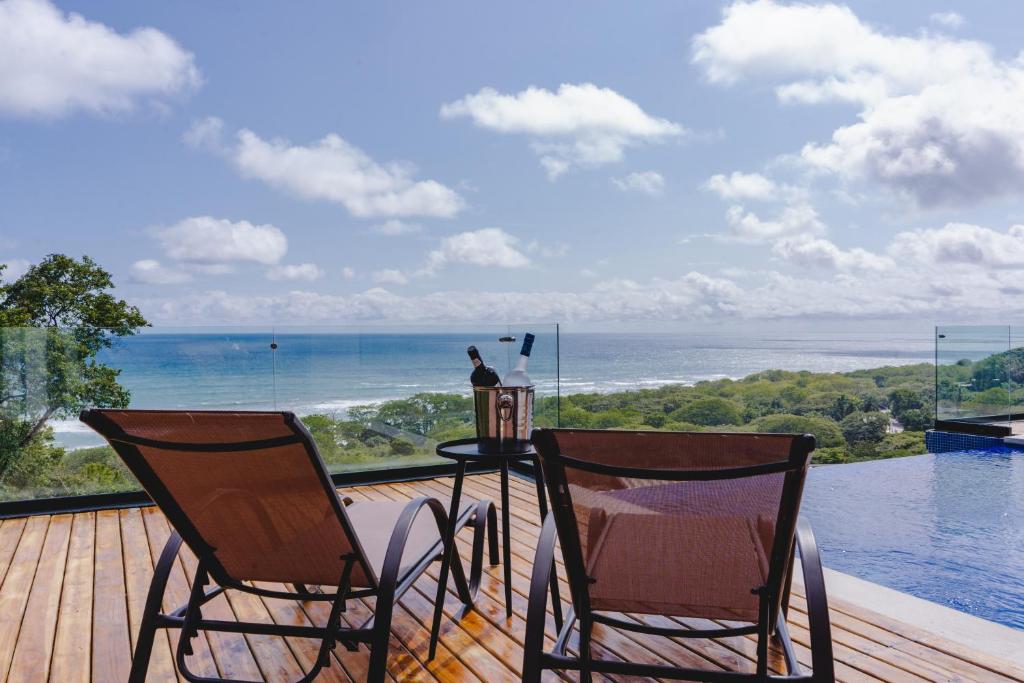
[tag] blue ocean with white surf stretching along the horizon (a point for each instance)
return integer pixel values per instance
(330, 372)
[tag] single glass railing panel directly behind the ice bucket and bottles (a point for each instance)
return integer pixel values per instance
(378, 399)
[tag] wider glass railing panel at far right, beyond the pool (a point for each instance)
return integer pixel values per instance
(973, 373)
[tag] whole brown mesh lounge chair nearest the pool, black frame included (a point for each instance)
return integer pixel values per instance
(680, 526)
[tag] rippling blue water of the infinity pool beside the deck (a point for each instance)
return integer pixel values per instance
(948, 528)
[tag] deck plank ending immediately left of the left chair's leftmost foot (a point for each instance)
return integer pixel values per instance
(111, 633)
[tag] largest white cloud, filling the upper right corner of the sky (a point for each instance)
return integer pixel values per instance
(942, 119)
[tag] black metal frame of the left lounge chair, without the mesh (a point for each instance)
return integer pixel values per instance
(388, 588)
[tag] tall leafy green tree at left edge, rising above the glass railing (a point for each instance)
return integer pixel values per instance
(54, 322)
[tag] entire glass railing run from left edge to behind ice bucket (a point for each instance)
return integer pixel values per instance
(374, 399)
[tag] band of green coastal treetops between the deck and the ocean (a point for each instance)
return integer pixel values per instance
(855, 416)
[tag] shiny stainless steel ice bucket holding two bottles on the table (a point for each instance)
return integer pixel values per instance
(504, 418)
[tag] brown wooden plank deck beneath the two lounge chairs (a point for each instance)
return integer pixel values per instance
(73, 589)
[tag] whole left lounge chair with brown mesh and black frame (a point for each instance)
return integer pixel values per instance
(249, 494)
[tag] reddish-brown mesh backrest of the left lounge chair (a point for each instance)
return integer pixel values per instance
(247, 492)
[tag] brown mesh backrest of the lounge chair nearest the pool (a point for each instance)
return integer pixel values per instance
(675, 524)
